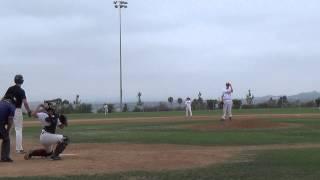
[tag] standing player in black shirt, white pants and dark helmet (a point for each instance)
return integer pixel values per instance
(20, 97)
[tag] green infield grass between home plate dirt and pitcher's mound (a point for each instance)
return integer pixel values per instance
(307, 131)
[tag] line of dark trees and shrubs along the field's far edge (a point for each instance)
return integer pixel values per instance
(198, 103)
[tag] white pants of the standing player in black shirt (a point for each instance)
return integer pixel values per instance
(18, 125)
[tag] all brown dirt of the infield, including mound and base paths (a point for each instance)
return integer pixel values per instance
(108, 158)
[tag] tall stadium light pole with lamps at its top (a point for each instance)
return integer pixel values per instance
(119, 5)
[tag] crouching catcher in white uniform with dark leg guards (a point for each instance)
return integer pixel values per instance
(54, 144)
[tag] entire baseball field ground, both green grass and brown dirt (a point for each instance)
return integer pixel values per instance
(257, 144)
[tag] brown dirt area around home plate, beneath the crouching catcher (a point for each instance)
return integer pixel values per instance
(109, 158)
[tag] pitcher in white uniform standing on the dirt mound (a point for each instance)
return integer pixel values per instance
(227, 101)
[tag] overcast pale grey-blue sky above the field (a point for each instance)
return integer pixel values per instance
(170, 48)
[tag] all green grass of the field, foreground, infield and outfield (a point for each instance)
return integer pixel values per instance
(285, 164)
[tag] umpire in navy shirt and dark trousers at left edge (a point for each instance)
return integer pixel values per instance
(7, 110)
